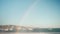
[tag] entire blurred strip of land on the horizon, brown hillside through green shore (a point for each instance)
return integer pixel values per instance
(14, 28)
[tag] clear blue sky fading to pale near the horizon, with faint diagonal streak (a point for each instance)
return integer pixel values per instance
(37, 13)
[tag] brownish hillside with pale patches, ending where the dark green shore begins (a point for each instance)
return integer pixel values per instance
(14, 28)
